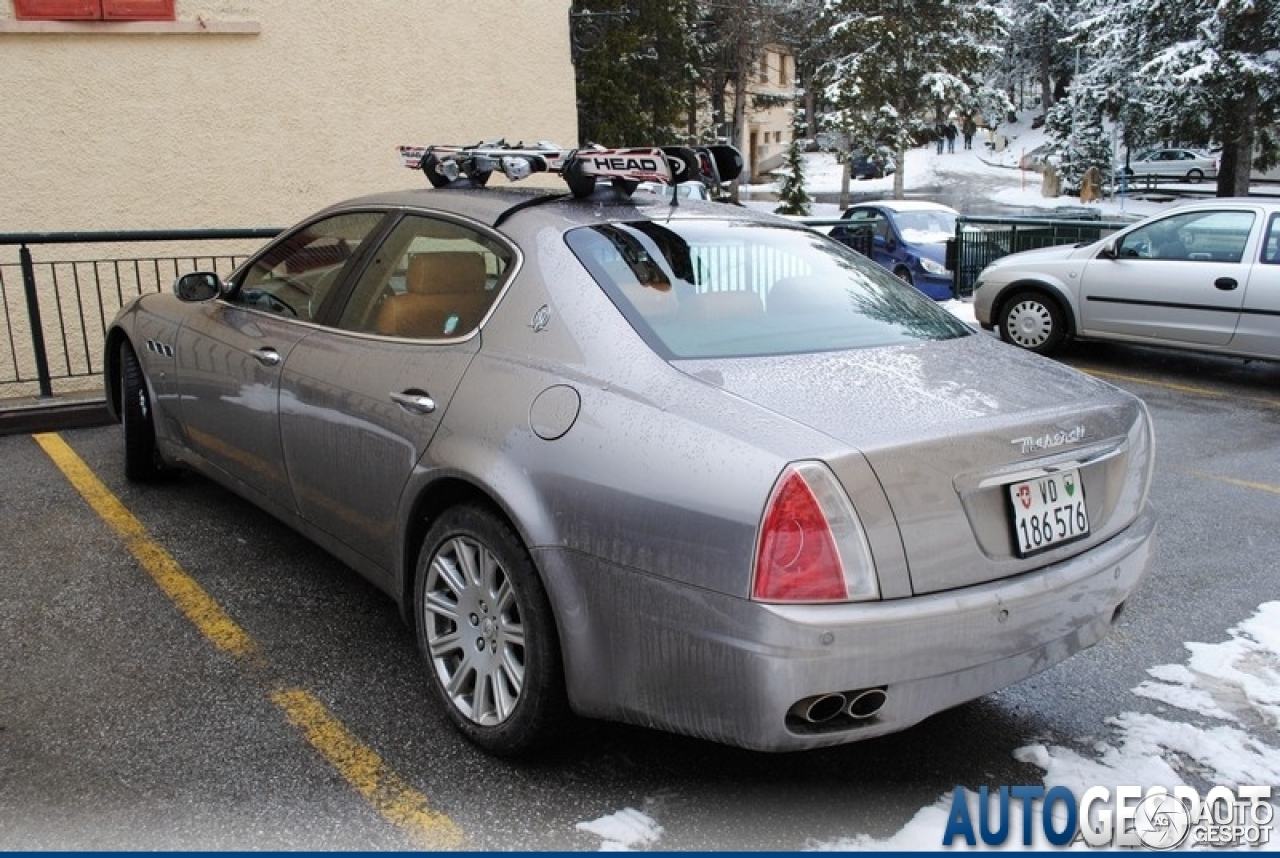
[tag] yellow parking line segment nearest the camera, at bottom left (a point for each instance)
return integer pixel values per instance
(367, 772)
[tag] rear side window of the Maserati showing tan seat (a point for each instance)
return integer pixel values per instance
(432, 280)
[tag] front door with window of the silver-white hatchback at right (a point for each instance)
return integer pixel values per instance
(1178, 280)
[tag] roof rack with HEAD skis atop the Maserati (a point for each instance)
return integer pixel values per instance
(582, 168)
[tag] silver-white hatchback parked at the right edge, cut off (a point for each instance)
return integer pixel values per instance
(1204, 276)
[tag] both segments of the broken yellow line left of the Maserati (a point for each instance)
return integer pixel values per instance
(386, 792)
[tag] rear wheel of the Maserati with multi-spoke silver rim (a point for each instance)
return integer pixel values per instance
(487, 632)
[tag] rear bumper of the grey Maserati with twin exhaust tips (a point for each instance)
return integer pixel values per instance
(650, 651)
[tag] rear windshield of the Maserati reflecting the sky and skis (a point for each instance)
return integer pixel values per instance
(698, 289)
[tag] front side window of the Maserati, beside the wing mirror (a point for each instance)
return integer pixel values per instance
(296, 275)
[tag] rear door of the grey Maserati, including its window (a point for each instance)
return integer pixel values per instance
(362, 400)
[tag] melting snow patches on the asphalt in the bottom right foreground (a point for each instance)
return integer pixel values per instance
(1233, 682)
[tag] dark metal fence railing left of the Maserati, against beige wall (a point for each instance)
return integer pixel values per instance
(56, 307)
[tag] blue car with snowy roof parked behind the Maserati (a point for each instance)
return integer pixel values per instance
(909, 238)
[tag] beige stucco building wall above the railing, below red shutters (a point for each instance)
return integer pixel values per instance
(255, 113)
